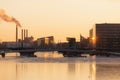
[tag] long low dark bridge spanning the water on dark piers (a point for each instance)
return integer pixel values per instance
(65, 52)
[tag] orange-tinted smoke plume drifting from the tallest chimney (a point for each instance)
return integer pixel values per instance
(7, 18)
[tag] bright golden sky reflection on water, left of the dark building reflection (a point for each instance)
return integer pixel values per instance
(45, 71)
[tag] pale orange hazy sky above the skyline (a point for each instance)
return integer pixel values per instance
(60, 18)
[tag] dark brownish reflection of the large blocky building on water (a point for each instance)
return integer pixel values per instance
(108, 72)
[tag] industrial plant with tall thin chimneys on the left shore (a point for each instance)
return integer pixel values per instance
(23, 43)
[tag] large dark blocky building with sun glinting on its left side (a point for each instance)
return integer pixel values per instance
(105, 36)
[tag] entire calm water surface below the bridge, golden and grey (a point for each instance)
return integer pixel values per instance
(53, 66)
